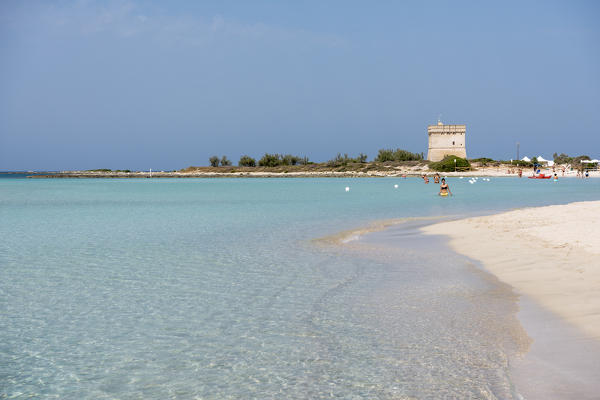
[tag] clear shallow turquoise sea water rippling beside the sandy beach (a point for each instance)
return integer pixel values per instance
(214, 288)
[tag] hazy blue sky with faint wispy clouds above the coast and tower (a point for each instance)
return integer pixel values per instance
(165, 85)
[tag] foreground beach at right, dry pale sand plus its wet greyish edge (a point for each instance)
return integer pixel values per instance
(547, 255)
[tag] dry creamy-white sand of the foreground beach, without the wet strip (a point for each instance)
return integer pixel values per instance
(551, 254)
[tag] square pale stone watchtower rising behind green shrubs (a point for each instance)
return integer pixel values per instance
(446, 140)
